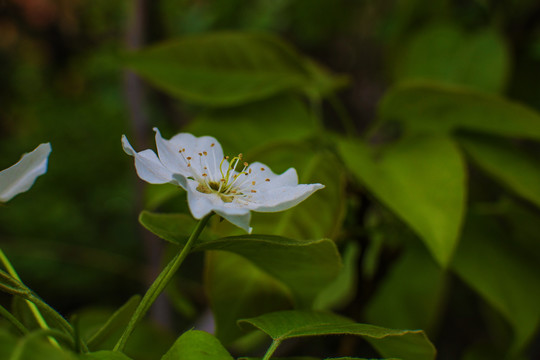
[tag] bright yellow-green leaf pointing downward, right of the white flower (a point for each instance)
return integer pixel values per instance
(422, 179)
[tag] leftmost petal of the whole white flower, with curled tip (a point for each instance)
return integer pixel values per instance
(148, 166)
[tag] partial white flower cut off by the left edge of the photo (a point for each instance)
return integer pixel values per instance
(21, 176)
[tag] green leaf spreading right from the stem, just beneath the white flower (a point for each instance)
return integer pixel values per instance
(305, 267)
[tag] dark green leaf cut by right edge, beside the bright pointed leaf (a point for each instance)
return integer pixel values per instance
(507, 164)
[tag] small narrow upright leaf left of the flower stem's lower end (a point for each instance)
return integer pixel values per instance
(116, 322)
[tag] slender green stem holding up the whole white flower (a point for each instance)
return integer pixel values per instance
(160, 283)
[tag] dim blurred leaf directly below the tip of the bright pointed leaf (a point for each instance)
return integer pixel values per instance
(411, 294)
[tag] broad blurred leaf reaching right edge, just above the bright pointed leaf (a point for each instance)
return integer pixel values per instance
(437, 108)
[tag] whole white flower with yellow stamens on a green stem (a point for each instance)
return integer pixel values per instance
(213, 183)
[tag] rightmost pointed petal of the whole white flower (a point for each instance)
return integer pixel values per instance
(282, 198)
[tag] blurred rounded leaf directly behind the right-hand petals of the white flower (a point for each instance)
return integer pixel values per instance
(322, 214)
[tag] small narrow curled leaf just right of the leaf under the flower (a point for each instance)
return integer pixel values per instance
(341, 291)
